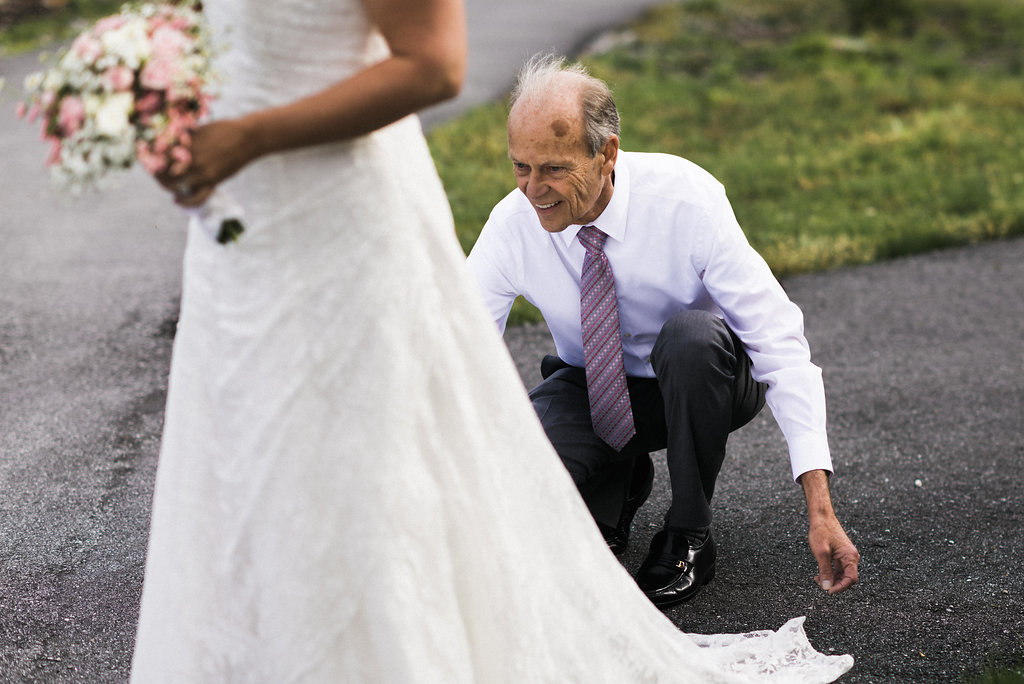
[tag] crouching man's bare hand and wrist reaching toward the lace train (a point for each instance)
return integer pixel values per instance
(837, 555)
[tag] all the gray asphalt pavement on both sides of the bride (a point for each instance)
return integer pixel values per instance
(924, 374)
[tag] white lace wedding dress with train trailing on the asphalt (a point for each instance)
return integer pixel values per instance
(353, 486)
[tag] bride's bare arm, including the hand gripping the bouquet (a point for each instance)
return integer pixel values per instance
(428, 65)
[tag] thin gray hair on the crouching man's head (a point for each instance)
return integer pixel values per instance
(601, 118)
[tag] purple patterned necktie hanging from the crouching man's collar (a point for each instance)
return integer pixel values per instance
(603, 348)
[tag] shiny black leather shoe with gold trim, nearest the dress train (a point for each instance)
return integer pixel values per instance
(678, 566)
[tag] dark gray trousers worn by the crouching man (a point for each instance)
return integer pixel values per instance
(703, 391)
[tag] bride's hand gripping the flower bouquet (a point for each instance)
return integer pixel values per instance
(220, 150)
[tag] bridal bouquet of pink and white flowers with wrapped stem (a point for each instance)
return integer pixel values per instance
(130, 90)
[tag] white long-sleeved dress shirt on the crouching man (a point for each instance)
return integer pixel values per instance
(674, 244)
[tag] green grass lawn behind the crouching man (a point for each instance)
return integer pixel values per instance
(844, 134)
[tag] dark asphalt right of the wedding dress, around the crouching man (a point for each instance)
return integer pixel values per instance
(924, 375)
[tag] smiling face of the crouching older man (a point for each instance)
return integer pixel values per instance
(552, 166)
